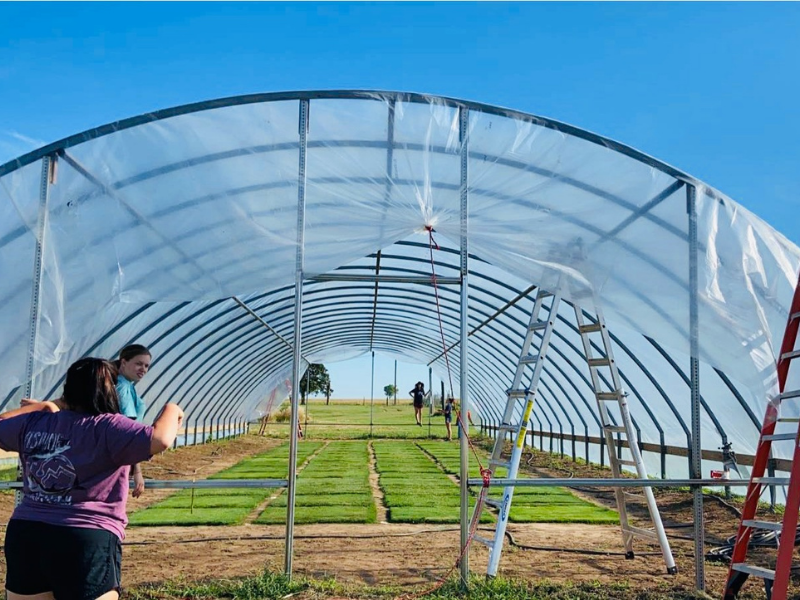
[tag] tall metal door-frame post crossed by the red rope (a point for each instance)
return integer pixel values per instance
(463, 122)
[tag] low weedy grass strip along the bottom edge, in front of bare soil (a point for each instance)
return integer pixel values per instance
(269, 586)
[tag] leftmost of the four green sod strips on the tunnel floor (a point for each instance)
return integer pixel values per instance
(224, 506)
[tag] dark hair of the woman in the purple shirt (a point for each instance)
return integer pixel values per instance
(91, 387)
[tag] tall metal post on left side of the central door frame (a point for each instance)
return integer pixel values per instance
(298, 333)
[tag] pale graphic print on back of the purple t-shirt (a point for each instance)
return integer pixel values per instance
(51, 475)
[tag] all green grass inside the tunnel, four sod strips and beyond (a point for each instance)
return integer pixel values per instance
(417, 479)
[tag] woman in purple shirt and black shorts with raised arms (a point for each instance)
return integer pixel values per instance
(64, 540)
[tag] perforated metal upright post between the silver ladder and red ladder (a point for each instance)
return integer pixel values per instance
(694, 362)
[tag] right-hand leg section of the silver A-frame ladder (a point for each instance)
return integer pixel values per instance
(613, 404)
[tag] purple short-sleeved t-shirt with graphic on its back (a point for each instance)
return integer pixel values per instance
(76, 467)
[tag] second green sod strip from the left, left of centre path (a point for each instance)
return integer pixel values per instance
(333, 488)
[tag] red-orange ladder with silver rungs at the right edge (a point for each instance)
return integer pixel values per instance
(776, 581)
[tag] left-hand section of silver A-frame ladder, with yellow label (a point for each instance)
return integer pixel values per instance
(521, 396)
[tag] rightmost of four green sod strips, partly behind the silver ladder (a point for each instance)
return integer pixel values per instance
(530, 505)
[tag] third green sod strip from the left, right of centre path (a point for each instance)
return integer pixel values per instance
(415, 489)
